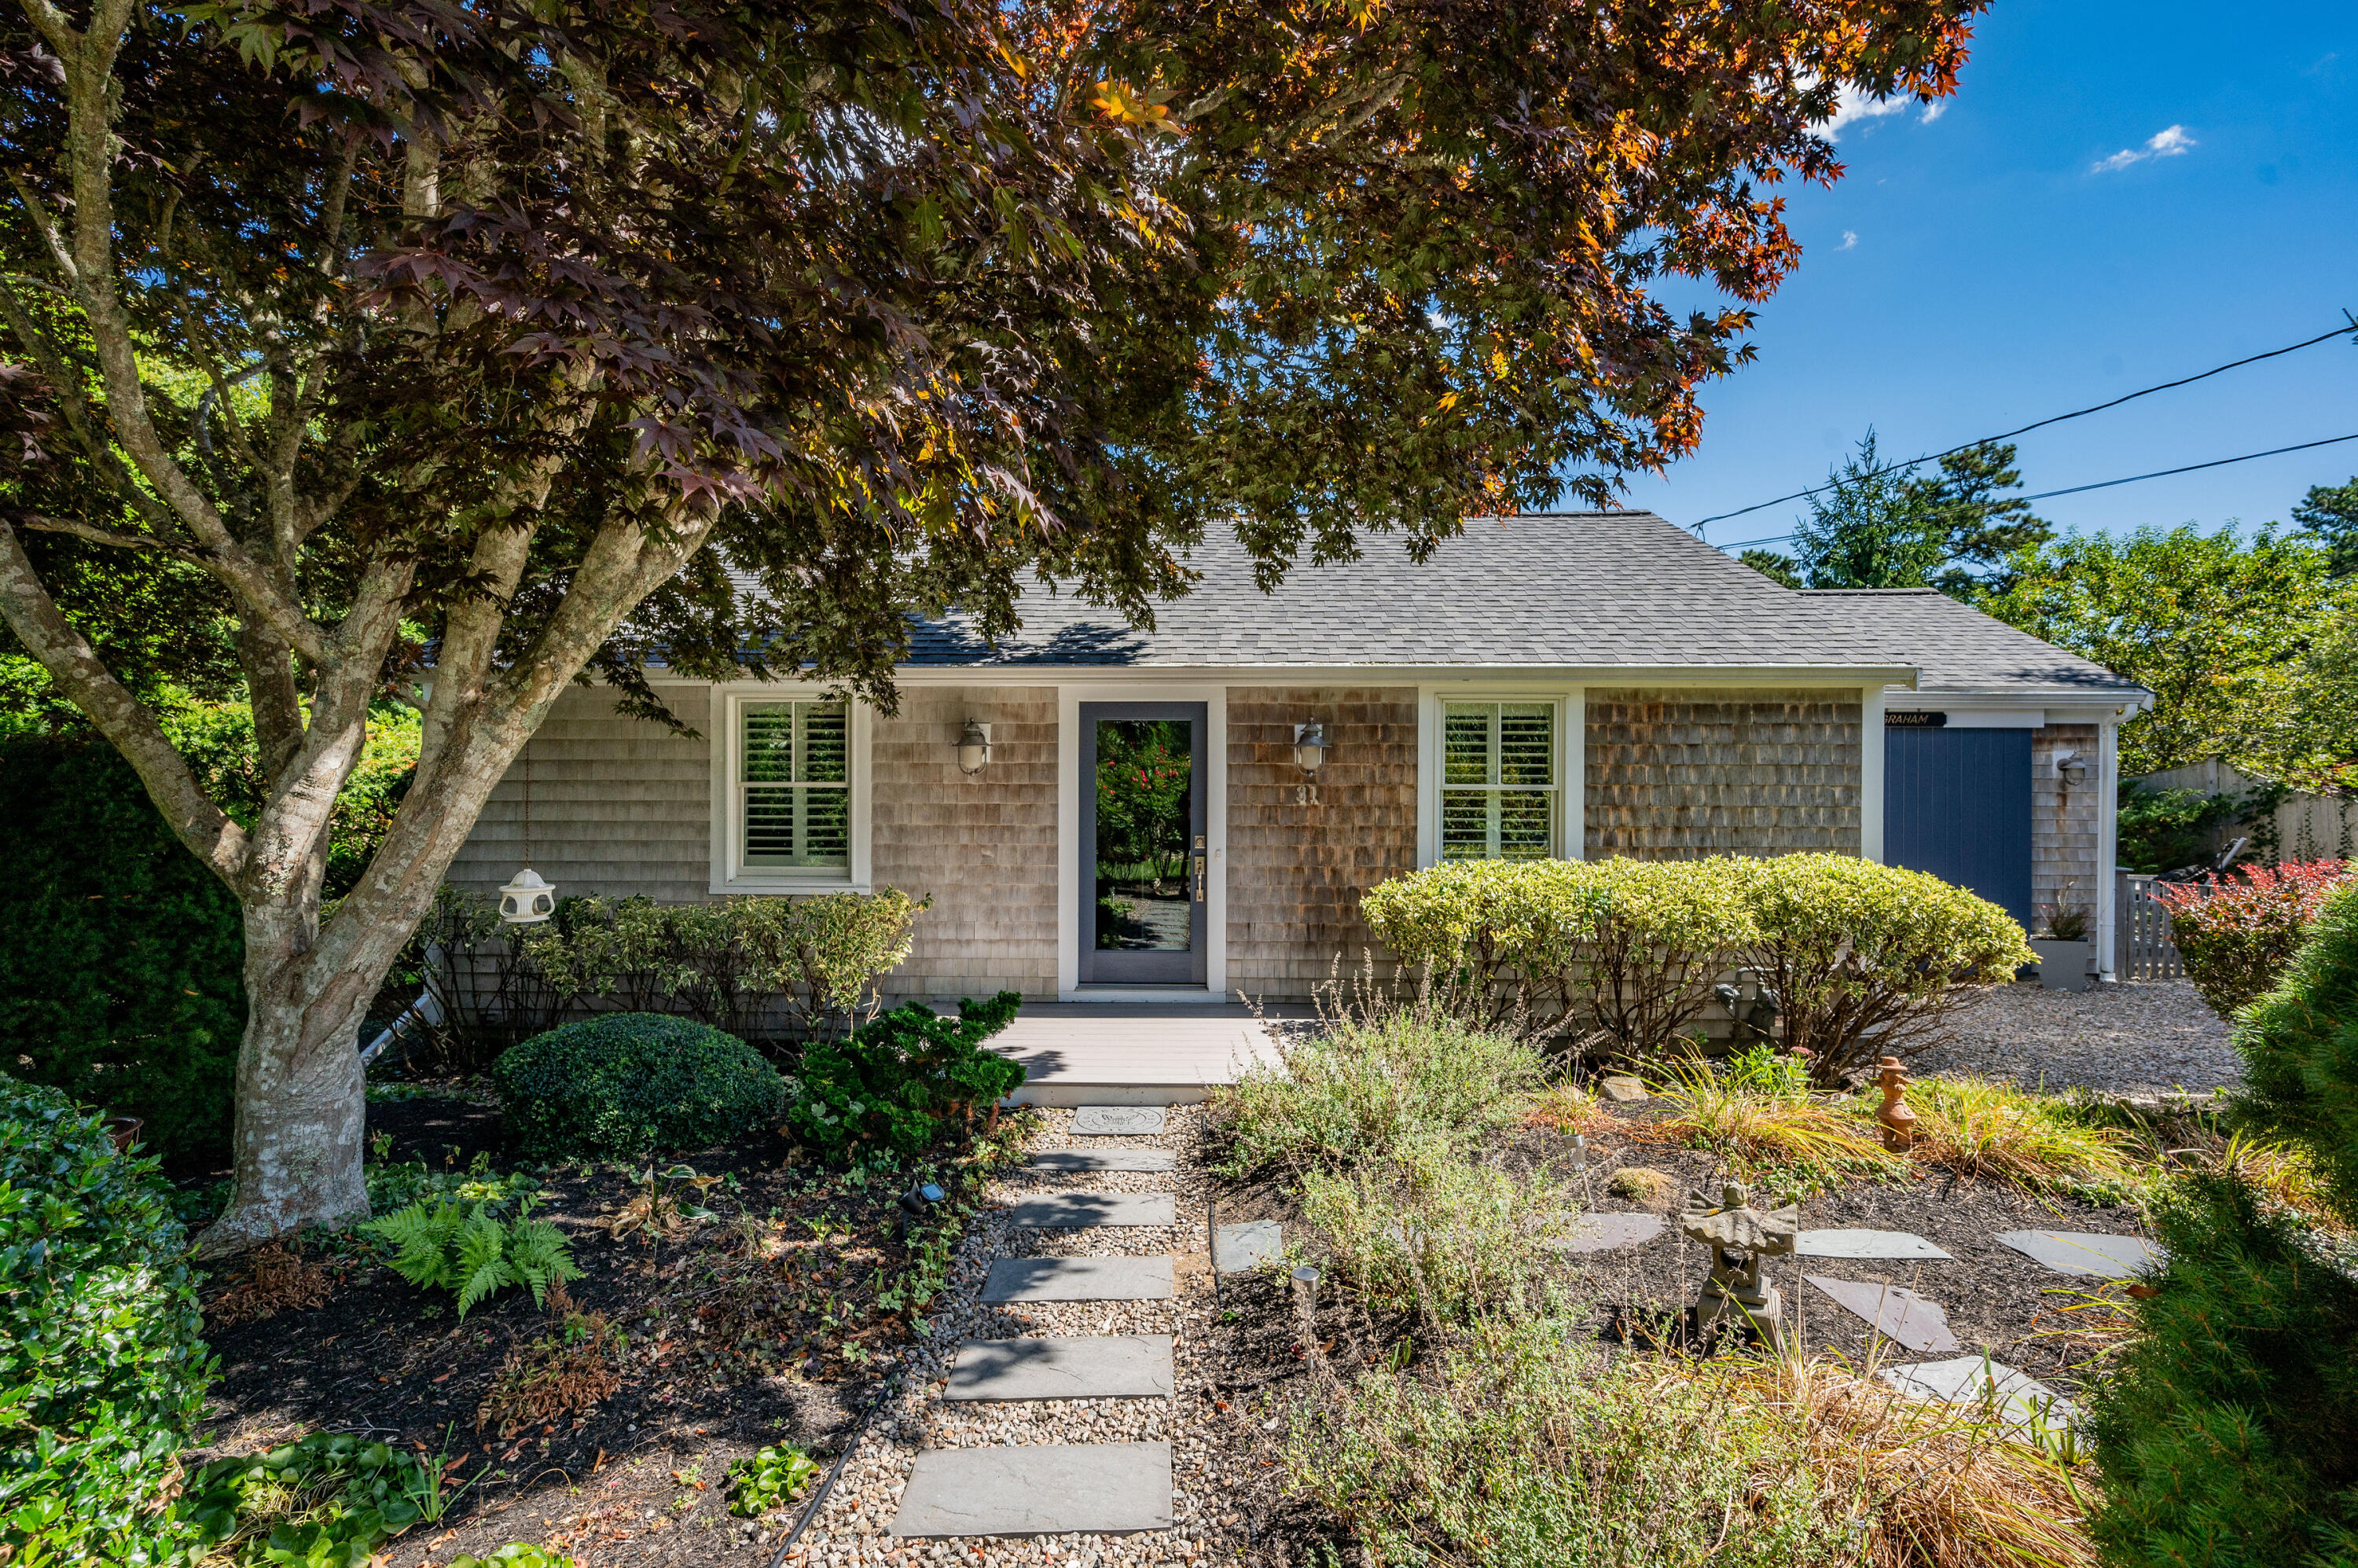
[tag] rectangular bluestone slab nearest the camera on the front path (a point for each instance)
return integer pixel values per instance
(1039, 1489)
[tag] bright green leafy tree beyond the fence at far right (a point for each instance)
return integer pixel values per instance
(2215, 626)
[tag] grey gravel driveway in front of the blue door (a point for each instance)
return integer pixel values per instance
(2138, 1039)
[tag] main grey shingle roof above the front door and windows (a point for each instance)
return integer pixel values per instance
(1586, 588)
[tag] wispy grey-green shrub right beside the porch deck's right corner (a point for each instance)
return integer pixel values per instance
(1369, 1083)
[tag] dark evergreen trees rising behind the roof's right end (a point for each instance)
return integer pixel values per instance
(1899, 527)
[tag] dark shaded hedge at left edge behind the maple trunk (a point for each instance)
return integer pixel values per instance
(121, 958)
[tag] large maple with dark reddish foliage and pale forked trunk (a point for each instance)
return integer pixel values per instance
(513, 329)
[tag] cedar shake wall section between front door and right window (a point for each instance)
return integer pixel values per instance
(1296, 869)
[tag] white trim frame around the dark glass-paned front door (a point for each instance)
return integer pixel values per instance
(1216, 819)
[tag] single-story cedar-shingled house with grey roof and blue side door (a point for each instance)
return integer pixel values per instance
(1567, 685)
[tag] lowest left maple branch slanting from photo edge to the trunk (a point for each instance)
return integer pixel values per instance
(121, 718)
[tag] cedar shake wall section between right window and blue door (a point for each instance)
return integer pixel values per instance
(1685, 775)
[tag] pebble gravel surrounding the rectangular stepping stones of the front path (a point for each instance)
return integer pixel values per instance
(855, 1529)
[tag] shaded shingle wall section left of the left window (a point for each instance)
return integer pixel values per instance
(621, 808)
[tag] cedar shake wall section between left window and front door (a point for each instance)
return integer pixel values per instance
(984, 848)
